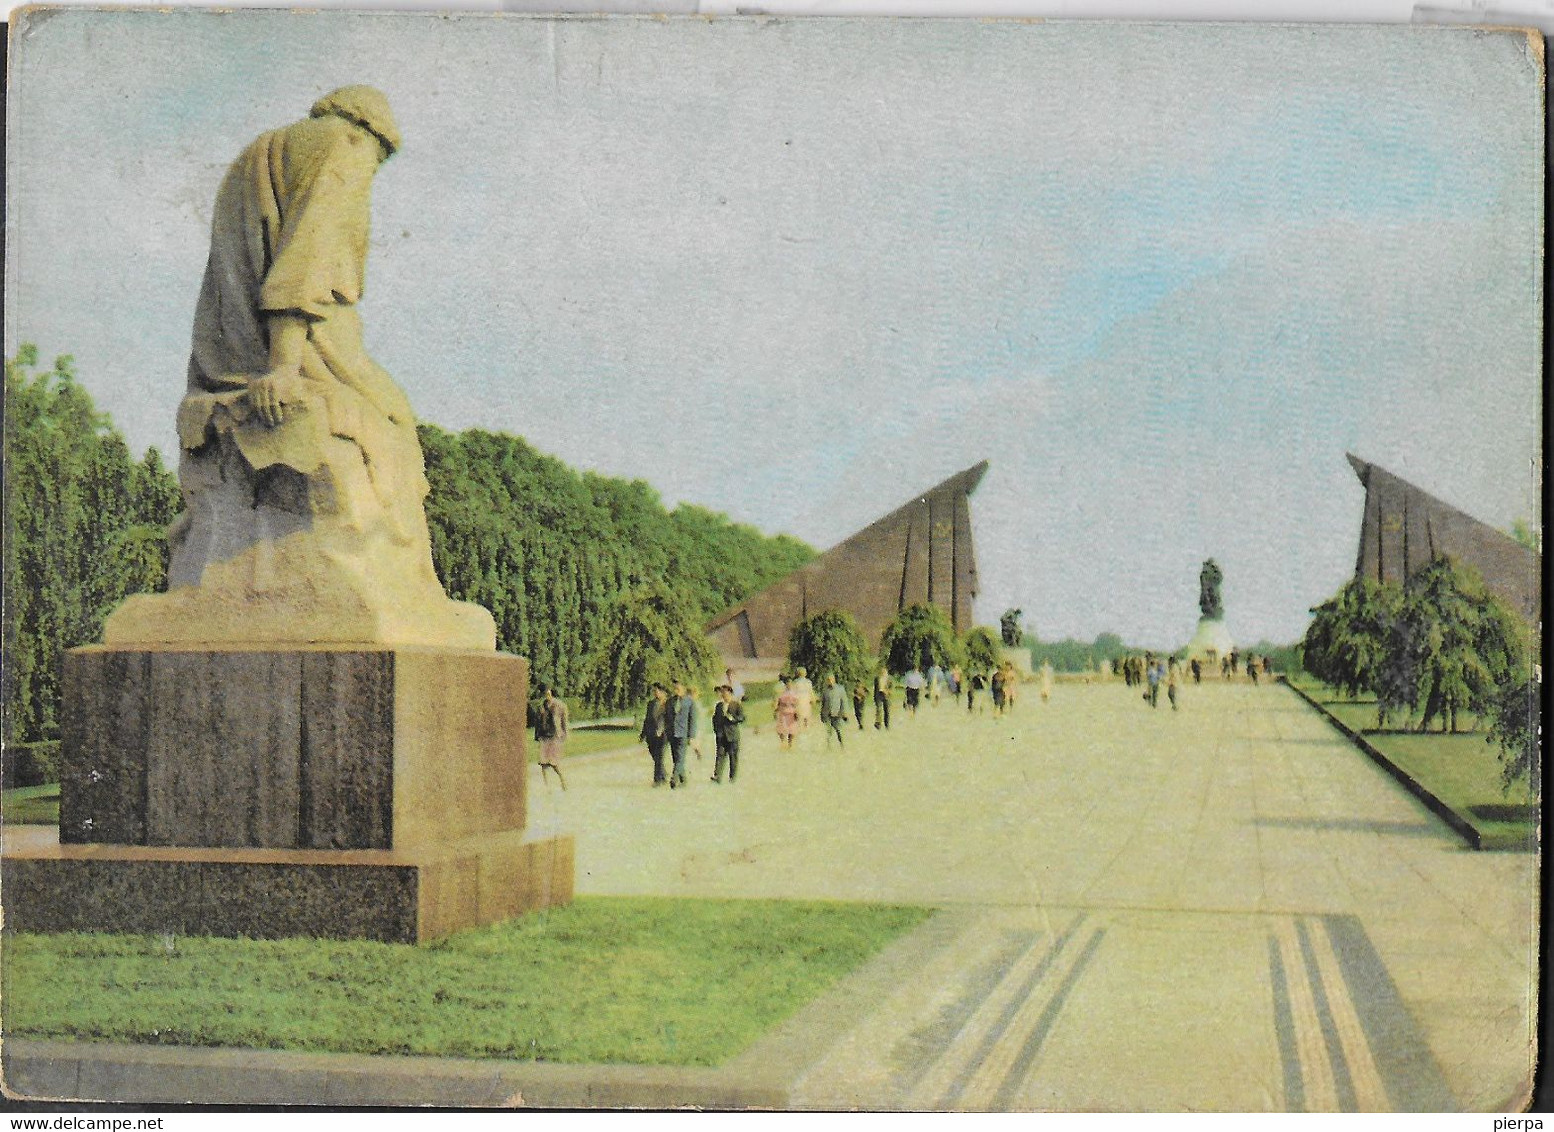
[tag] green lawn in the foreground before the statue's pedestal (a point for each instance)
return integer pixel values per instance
(655, 982)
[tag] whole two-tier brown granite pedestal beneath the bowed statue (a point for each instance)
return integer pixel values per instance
(332, 791)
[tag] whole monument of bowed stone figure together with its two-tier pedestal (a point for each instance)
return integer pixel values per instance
(304, 736)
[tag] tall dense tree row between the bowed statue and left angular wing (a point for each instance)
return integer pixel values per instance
(548, 550)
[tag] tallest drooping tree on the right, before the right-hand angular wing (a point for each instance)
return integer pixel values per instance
(1460, 643)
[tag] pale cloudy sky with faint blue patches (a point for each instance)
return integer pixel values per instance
(1160, 278)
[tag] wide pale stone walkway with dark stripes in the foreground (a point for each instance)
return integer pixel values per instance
(1225, 907)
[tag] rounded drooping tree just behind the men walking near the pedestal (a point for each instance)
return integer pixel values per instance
(647, 637)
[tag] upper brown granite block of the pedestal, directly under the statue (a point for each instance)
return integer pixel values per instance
(305, 749)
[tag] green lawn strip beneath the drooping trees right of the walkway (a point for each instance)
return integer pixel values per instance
(1462, 770)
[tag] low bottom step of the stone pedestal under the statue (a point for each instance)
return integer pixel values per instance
(392, 896)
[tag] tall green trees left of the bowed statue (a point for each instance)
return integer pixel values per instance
(86, 526)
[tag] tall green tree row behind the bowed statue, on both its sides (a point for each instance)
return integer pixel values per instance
(563, 559)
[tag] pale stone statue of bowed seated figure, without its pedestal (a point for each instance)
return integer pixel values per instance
(301, 469)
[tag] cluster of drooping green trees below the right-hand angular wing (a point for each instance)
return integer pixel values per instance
(1437, 651)
